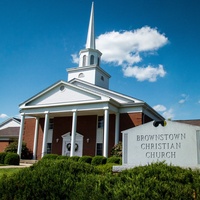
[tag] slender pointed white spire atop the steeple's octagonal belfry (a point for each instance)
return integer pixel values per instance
(90, 37)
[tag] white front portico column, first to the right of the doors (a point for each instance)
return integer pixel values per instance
(106, 133)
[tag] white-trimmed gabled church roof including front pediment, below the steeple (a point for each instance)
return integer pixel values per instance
(81, 94)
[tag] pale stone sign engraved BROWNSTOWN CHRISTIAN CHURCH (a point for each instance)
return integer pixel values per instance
(176, 144)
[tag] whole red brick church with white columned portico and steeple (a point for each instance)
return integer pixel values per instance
(80, 116)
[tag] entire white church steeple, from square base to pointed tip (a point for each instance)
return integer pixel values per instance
(89, 69)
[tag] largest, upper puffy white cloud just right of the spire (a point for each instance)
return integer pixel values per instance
(125, 46)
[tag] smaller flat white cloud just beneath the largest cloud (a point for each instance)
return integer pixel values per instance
(149, 73)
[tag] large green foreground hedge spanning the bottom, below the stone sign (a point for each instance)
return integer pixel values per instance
(65, 179)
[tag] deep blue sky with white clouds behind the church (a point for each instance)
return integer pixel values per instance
(151, 48)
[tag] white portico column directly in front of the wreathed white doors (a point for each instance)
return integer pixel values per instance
(73, 133)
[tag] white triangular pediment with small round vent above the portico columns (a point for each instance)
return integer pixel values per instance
(61, 93)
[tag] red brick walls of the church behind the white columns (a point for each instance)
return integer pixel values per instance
(86, 126)
